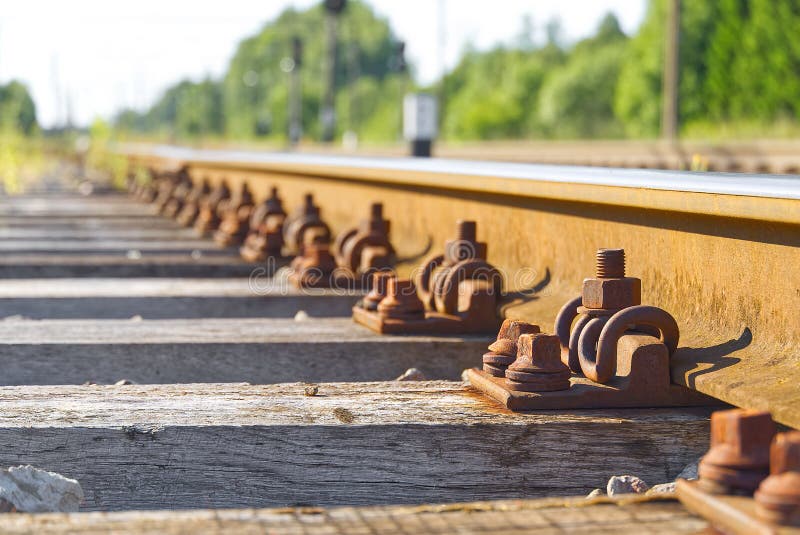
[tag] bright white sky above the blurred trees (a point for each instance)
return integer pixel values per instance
(102, 55)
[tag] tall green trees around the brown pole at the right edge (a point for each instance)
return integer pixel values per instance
(739, 61)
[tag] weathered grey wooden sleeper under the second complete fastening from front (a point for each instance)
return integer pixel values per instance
(255, 350)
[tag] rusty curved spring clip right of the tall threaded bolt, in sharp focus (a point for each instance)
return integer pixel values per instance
(597, 345)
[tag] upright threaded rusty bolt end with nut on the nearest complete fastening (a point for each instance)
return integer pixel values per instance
(610, 289)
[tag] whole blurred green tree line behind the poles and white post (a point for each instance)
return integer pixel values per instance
(739, 61)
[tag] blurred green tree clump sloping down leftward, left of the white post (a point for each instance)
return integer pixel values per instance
(251, 100)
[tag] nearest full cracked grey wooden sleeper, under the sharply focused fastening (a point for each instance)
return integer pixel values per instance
(234, 445)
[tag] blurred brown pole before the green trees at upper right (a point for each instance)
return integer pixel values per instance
(669, 110)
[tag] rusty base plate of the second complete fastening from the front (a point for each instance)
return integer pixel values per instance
(434, 323)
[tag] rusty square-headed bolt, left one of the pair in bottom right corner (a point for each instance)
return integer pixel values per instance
(738, 459)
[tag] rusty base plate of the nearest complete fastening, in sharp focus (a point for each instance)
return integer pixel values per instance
(585, 394)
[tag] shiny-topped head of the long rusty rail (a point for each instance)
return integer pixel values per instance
(748, 196)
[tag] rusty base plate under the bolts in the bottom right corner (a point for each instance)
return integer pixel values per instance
(729, 514)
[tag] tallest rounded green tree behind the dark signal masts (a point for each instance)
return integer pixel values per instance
(255, 88)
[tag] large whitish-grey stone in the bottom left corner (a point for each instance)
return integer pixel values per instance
(32, 490)
